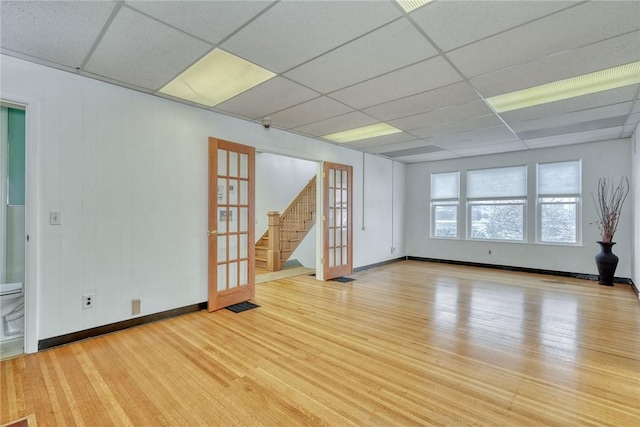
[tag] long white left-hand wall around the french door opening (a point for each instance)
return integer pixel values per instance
(128, 171)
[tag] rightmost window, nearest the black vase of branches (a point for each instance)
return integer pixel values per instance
(559, 197)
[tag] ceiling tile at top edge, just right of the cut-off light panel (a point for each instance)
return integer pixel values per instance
(452, 24)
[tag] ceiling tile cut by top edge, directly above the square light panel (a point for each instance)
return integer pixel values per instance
(209, 20)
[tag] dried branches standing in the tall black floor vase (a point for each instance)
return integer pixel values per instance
(609, 202)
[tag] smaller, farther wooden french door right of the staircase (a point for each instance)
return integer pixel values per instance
(338, 220)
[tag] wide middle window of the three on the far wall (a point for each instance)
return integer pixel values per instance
(496, 199)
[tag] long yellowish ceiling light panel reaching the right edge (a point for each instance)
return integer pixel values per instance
(611, 78)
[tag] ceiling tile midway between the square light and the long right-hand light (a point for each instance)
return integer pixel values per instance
(420, 77)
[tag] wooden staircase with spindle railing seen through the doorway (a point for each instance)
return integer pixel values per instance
(287, 229)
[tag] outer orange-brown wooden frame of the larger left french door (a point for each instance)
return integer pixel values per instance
(216, 300)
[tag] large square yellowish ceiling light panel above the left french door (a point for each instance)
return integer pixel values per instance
(215, 78)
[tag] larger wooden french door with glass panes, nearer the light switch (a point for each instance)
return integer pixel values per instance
(231, 223)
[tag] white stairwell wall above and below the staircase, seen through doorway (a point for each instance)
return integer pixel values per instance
(278, 180)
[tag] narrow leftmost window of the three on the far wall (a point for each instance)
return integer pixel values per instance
(445, 194)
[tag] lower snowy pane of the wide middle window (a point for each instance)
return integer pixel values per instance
(497, 221)
